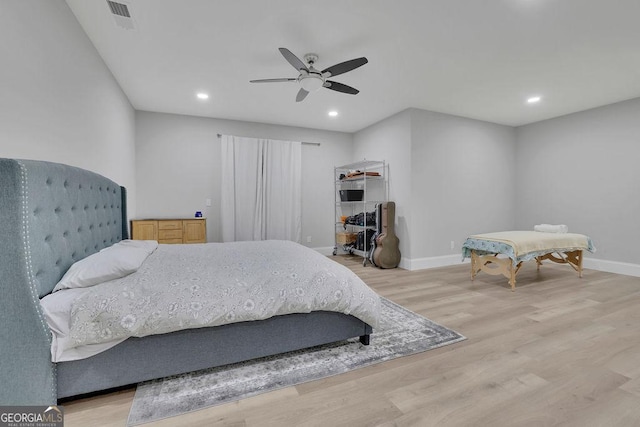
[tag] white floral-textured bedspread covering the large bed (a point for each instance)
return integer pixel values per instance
(192, 286)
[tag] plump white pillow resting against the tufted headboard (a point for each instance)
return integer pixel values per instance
(111, 263)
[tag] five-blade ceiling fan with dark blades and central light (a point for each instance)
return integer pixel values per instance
(311, 79)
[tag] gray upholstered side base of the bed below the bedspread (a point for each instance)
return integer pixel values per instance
(195, 349)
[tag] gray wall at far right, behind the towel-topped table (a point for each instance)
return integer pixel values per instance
(582, 170)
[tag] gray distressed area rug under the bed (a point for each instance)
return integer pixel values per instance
(401, 333)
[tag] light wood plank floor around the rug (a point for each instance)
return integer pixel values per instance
(560, 350)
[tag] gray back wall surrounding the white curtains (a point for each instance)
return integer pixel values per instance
(178, 168)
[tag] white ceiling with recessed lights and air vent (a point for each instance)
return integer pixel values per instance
(474, 58)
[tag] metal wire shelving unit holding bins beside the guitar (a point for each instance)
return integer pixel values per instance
(372, 180)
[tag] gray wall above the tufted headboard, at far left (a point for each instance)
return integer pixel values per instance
(58, 100)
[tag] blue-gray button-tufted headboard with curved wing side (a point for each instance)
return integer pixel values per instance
(51, 215)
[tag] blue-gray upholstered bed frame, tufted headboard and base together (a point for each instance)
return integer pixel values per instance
(53, 217)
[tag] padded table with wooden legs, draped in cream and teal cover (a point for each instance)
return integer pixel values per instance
(504, 252)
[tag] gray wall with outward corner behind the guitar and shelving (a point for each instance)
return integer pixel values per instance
(440, 176)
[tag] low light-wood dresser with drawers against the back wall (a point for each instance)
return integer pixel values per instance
(193, 230)
